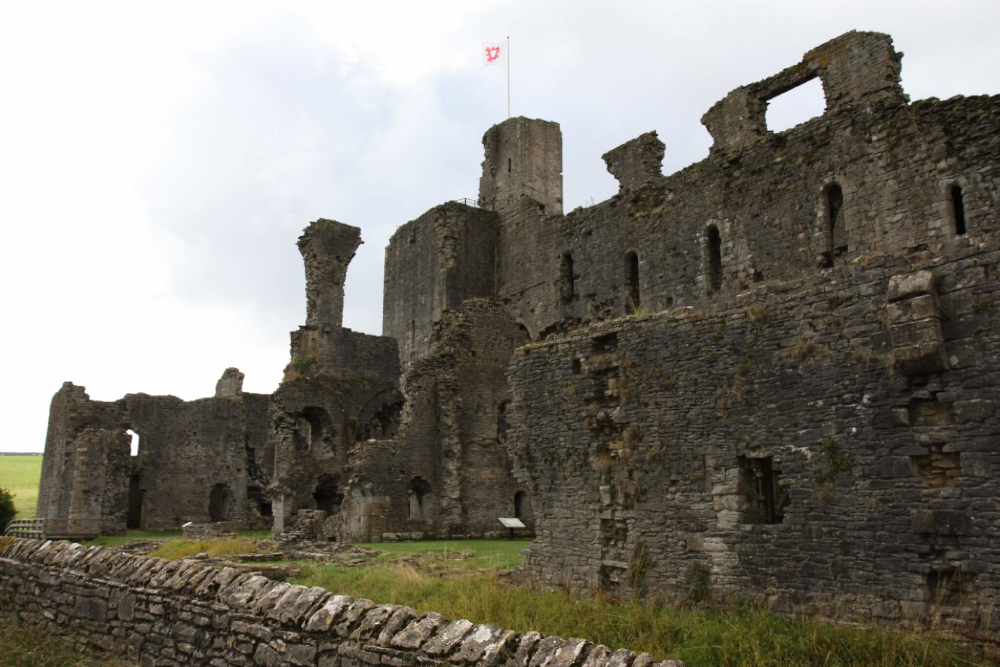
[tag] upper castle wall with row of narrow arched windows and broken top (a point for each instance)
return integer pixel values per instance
(872, 176)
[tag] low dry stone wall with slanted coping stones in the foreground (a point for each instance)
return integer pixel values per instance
(181, 613)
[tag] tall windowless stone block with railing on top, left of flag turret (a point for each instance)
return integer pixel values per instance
(432, 265)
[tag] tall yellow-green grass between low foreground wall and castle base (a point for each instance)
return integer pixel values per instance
(740, 636)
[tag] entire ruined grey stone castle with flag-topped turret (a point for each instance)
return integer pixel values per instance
(775, 371)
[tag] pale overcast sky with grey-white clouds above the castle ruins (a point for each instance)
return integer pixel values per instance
(159, 160)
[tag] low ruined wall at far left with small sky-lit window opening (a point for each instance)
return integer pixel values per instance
(199, 461)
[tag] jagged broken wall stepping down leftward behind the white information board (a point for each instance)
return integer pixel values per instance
(446, 472)
